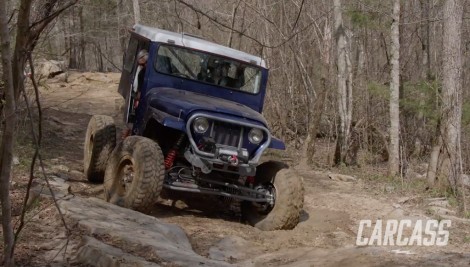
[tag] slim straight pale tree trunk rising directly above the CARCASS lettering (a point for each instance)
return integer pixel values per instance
(394, 150)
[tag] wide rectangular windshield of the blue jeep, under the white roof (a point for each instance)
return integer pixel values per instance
(209, 68)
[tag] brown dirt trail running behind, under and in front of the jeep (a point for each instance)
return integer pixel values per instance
(325, 236)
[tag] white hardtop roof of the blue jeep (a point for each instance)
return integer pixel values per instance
(185, 40)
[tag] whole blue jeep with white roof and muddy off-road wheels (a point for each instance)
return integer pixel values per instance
(197, 128)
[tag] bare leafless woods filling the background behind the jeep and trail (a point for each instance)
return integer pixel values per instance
(363, 83)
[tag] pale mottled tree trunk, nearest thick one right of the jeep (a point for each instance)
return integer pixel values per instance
(344, 86)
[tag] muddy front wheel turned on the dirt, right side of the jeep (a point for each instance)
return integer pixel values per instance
(288, 191)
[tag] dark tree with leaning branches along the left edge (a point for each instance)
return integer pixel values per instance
(27, 36)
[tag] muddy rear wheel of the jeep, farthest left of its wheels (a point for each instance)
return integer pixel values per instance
(100, 141)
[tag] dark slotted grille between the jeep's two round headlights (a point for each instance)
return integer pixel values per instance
(225, 133)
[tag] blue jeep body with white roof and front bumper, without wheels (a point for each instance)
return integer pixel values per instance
(179, 90)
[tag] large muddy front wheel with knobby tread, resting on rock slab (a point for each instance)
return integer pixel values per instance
(134, 175)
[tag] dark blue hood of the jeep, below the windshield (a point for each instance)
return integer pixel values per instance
(182, 103)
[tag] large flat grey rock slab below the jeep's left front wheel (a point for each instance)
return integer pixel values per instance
(145, 238)
